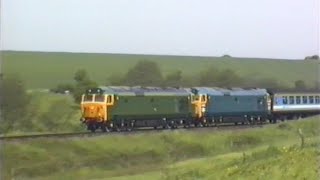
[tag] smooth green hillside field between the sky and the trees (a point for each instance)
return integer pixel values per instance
(46, 70)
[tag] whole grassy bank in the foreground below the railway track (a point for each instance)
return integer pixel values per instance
(272, 152)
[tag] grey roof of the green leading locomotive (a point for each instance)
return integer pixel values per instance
(137, 90)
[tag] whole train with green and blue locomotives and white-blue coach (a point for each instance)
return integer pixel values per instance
(122, 108)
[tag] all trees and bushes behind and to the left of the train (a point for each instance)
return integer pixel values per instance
(19, 109)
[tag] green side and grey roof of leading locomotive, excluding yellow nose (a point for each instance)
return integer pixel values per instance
(147, 107)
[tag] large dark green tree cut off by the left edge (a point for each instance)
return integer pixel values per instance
(13, 101)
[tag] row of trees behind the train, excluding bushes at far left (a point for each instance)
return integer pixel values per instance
(148, 73)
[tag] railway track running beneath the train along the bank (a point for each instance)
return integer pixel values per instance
(136, 131)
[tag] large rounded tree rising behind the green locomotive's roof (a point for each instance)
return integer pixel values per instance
(144, 73)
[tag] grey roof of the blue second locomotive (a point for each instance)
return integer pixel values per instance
(233, 92)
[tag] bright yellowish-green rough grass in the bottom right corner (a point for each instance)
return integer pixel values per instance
(268, 163)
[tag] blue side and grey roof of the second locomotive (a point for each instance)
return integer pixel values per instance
(236, 105)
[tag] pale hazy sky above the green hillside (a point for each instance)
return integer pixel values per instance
(248, 28)
